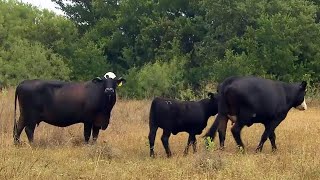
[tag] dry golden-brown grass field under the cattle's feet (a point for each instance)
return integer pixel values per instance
(122, 150)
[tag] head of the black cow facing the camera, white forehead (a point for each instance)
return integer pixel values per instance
(109, 84)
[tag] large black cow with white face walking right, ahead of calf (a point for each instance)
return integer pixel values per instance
(248, 100)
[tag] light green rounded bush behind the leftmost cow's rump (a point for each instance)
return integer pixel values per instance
(21, 60)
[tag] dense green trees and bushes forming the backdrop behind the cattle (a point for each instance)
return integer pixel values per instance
(162, 47)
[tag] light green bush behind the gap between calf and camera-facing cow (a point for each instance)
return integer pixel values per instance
(157, 79)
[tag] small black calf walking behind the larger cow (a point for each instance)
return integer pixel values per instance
(175, 116)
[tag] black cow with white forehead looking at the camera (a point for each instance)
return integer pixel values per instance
(65, 103)
